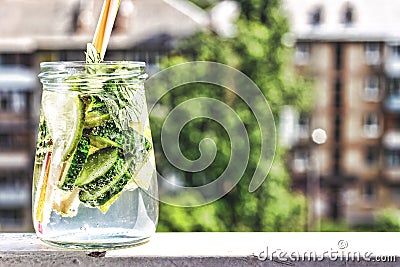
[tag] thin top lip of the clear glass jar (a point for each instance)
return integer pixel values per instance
(83, 63)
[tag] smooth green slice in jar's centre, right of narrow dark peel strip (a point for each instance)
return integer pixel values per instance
(97, 165)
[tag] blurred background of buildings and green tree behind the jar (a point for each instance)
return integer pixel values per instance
(330, 71)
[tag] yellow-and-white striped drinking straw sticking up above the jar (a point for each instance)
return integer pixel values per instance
(104, 26)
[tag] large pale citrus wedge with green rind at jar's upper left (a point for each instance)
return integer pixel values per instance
(63, 112)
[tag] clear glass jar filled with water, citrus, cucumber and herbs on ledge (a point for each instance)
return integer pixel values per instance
(94, 182)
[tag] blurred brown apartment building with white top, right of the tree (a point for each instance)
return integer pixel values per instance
(351, 50)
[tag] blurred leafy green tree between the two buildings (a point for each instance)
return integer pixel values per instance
(256, 50)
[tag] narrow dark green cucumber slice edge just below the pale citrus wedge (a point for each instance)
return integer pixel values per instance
(76, 166)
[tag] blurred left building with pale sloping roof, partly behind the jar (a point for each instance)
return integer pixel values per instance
(52, 30)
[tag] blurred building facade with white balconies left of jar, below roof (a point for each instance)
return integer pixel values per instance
(17, 94)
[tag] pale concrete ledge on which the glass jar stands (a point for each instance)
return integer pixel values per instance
(216, 249)
